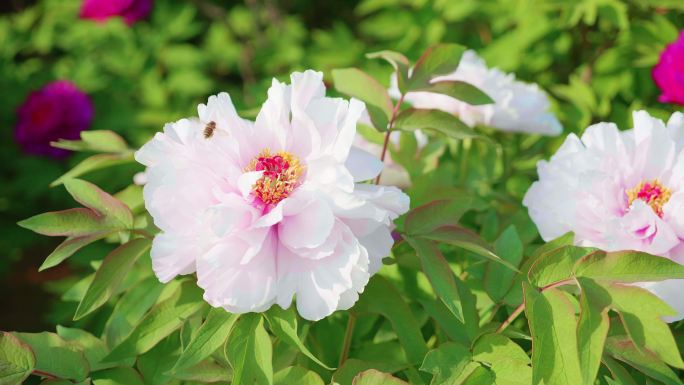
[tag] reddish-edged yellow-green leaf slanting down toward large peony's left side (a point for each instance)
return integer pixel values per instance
(106, 205)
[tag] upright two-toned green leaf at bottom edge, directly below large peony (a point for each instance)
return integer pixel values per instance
(250, 352)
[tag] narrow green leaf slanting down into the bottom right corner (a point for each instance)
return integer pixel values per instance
(648, 363)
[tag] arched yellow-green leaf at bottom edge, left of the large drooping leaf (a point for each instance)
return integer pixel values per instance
(506, 359)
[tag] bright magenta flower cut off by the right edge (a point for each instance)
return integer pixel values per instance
(669, 72)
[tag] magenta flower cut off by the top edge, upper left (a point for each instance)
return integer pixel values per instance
(130, 10)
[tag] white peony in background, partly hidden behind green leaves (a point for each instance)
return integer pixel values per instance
(518, 107)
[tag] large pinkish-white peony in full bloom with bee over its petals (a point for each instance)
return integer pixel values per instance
(270, 210)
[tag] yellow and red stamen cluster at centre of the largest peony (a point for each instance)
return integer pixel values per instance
(282, 171)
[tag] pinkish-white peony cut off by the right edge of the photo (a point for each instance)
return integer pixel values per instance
(618, 190)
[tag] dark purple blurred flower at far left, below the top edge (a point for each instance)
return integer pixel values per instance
(59, 110)
